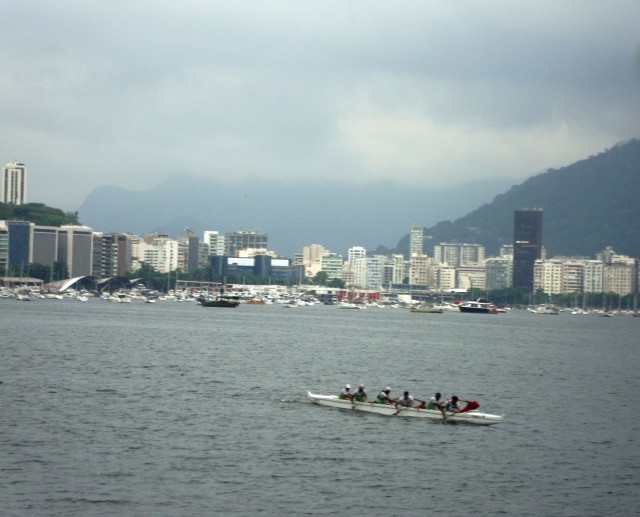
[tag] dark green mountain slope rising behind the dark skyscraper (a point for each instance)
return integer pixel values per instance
(589, 205)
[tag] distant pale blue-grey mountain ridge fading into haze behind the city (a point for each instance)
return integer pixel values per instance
(293, 215)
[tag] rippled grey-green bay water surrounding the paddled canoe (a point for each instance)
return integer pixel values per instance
(175, 409)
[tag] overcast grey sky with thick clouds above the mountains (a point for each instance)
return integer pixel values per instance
(427, 93)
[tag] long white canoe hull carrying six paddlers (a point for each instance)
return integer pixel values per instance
(469, 417)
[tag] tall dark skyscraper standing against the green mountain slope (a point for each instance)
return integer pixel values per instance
(527, 247)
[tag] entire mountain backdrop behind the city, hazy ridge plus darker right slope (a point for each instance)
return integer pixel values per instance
(587, 206)
